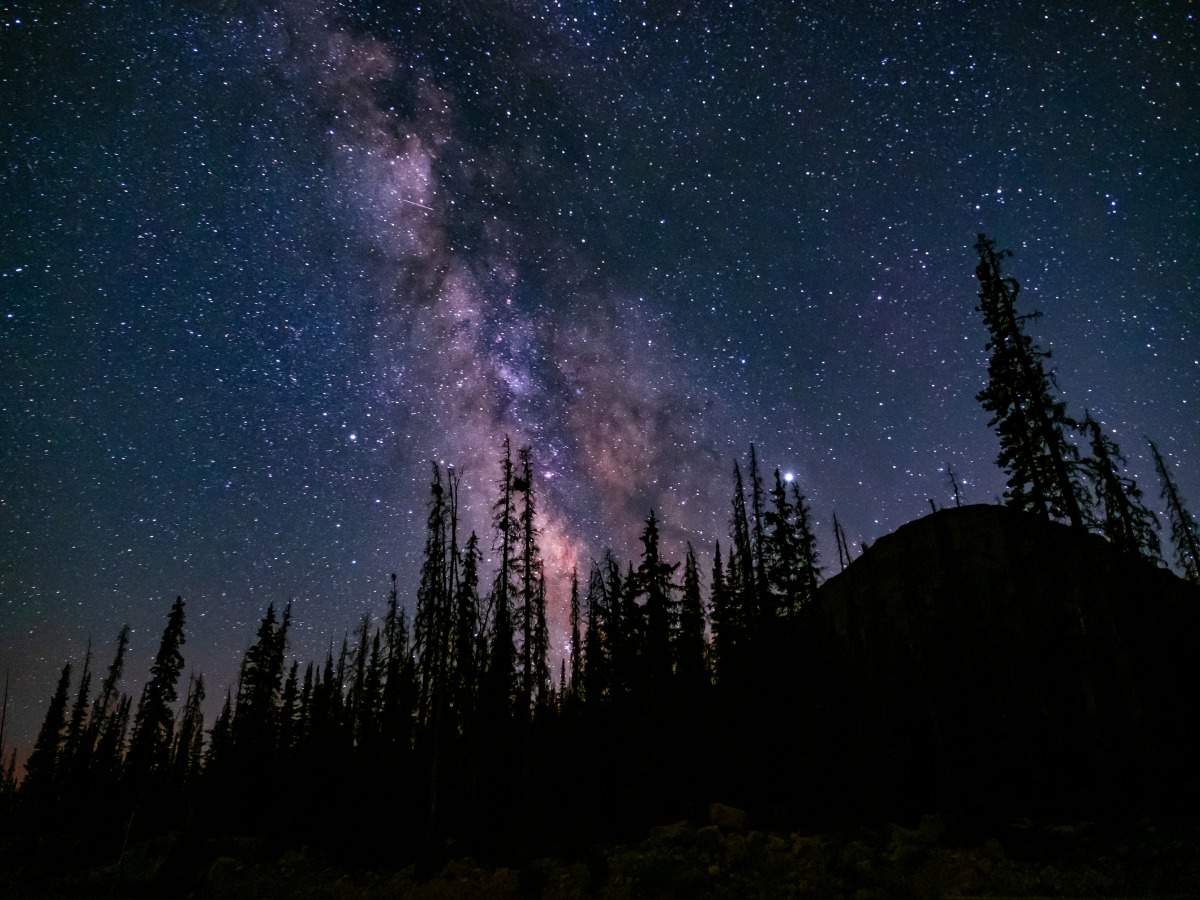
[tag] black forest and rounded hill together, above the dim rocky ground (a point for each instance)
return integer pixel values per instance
(1033, 658)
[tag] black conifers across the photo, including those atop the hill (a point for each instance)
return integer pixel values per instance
(453, 731)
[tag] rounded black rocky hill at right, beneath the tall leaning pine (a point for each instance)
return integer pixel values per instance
(985, 662)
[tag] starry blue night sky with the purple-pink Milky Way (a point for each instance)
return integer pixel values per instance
(260, 263)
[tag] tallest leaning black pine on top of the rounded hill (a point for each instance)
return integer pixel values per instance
(1030, 423)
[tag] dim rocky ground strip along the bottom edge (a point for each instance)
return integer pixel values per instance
(707, 861)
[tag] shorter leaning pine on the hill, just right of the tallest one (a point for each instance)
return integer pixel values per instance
(1125, 520)
